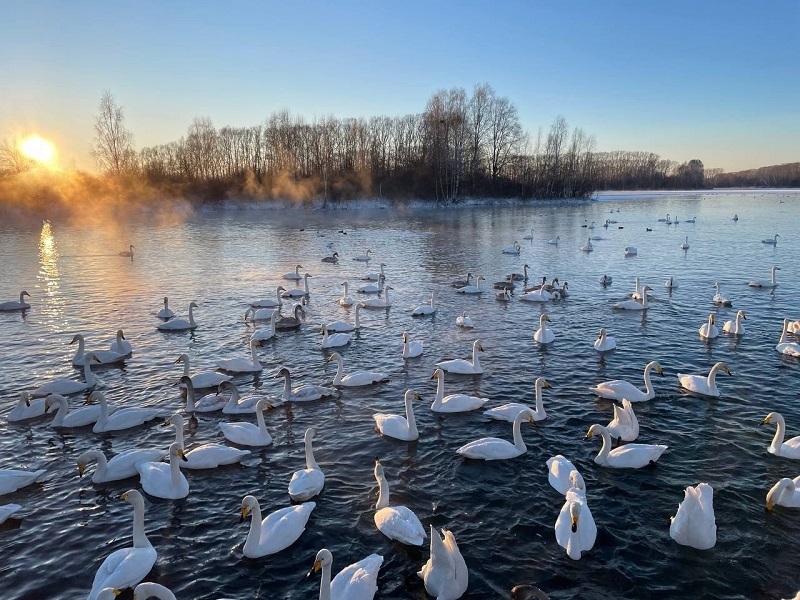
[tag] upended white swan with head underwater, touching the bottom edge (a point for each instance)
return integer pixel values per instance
(445, 574)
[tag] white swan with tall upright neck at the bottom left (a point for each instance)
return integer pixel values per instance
(127, 566)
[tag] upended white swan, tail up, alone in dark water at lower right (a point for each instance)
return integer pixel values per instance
(694, 524)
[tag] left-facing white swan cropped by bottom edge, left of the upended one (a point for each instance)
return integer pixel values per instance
(355, 582)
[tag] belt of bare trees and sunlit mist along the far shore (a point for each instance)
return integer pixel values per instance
(460, 149)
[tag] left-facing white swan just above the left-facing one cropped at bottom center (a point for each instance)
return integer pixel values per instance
(277, 531)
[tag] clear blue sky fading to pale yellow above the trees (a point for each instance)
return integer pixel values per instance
(718, 81)
